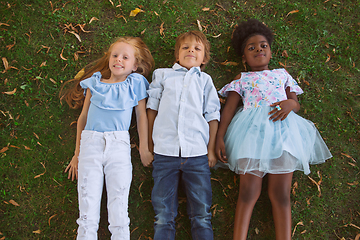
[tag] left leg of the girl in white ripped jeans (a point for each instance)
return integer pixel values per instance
(90, 185)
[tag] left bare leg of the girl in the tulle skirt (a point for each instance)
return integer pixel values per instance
(249, 192)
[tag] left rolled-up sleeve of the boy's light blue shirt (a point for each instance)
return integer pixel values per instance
(155, 90)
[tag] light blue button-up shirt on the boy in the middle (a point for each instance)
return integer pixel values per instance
(186, 100)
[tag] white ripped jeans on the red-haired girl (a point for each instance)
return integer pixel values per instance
(104, 154)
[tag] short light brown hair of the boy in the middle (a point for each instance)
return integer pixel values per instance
(200, 37)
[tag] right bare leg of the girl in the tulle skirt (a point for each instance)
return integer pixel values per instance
(279, 188)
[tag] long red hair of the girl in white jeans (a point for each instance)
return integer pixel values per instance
(74, 96)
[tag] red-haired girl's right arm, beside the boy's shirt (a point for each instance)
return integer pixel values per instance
(142, 126)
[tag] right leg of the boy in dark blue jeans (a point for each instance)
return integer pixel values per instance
(197, 182)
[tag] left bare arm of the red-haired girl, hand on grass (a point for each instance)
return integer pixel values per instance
(73, 165)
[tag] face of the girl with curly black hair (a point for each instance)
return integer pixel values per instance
(257, 53)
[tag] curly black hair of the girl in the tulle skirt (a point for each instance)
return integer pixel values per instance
(247, 29)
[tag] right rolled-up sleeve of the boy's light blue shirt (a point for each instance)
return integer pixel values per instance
(211, 108)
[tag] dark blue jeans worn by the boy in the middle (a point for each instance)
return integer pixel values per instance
(194, 173)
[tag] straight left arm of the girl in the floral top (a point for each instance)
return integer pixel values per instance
(227, 114)
